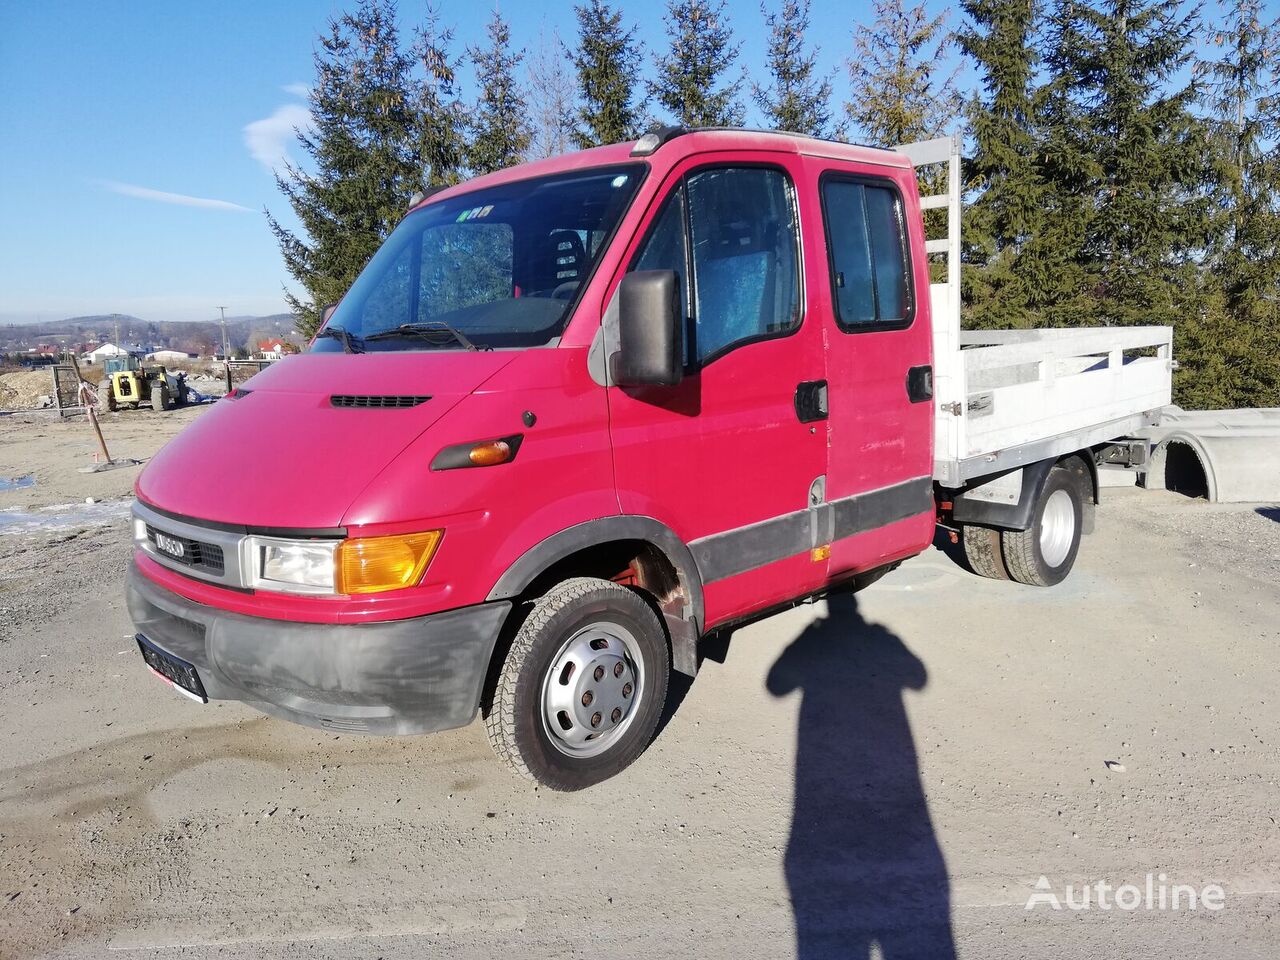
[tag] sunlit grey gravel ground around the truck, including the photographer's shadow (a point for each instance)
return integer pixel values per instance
(898, 771)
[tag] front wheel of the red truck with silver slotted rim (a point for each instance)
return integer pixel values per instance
(589, 652)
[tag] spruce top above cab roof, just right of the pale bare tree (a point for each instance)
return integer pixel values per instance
(609, 74)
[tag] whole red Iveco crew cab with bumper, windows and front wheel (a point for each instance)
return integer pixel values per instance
(572, 418)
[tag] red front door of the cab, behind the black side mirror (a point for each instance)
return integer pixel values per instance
(723, 459)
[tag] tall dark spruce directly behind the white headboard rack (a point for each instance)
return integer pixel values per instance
(1002, 172)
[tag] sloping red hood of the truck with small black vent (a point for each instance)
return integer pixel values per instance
(282, 455)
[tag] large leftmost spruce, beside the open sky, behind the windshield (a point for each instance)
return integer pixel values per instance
(363, 154)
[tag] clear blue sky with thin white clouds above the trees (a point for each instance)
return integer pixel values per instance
(139, 140)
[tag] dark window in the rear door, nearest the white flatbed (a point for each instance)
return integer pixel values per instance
(868, 255)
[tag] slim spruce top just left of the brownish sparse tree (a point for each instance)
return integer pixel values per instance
(799, 98)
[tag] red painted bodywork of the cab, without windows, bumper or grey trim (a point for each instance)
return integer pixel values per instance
(721, 451)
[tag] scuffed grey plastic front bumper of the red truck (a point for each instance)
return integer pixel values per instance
(408, 676)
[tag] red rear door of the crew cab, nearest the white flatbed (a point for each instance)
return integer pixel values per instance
(880, 365)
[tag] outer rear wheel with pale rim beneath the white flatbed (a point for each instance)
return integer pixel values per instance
(1045, 554)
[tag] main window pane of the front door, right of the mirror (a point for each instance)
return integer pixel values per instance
(747, 284)
